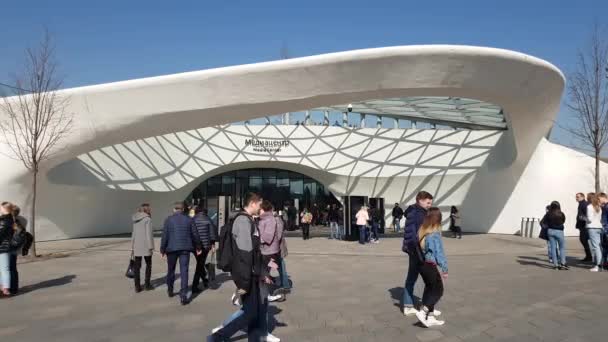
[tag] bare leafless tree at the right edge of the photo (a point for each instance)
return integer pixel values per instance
(588, 97)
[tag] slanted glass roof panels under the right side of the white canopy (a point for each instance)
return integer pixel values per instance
(453, 111)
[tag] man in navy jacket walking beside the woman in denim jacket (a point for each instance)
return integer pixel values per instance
(414, 216)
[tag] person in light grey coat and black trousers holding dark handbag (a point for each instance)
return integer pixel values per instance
(142, 245)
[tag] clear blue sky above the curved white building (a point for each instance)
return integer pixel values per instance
(100, 42)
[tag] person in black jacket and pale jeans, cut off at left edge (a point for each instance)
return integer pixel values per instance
(6, 235)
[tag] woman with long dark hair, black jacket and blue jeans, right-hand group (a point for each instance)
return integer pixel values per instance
(554, 220)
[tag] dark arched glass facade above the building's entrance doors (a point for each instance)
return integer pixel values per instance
(276, 185)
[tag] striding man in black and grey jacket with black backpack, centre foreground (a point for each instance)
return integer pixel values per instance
(240, 253)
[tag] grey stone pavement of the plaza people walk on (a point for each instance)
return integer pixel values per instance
(499, 289)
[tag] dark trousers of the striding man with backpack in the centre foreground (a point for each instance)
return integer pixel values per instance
(251, 317)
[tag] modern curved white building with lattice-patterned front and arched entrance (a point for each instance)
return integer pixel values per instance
(468, 124)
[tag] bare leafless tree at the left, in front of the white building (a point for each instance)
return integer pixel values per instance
(34, 118)
